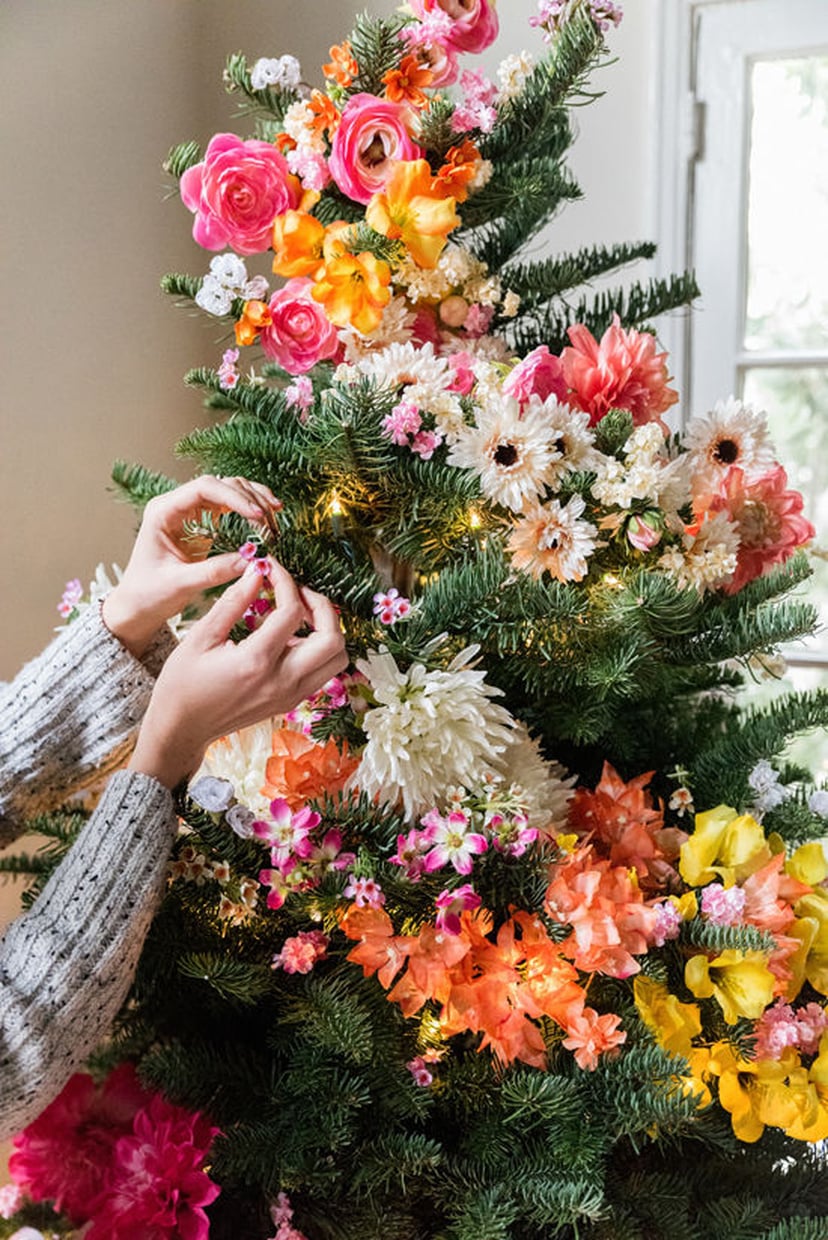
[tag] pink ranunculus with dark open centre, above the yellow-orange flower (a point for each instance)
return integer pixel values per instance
(374, 135)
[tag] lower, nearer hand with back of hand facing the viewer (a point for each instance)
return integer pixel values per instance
(210, 686)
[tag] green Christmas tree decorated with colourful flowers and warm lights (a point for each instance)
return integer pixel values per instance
(515, 931)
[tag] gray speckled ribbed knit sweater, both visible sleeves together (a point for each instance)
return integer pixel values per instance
(66, 965)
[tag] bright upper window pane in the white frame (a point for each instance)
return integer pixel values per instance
(788, 237)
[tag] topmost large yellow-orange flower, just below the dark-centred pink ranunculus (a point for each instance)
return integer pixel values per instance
(411, 211)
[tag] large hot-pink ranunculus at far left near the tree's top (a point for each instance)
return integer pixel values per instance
(236, 193)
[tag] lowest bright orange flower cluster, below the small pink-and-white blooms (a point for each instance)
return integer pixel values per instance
(498, 988)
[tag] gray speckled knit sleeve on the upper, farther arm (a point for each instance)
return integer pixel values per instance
(70, 716)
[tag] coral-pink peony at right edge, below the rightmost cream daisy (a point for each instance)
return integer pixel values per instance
(769, 520)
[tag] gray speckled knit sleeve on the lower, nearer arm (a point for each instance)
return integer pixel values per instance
(68, 964)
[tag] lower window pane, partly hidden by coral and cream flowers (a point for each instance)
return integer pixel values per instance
(796, 404)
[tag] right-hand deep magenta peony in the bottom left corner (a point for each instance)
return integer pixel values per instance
(158, 1186)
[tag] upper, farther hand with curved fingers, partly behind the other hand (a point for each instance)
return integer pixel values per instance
(167, 570)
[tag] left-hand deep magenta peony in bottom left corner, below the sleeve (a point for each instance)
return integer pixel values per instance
(64, 1156)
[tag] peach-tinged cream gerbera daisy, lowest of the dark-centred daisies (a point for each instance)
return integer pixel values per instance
(552, 539)
